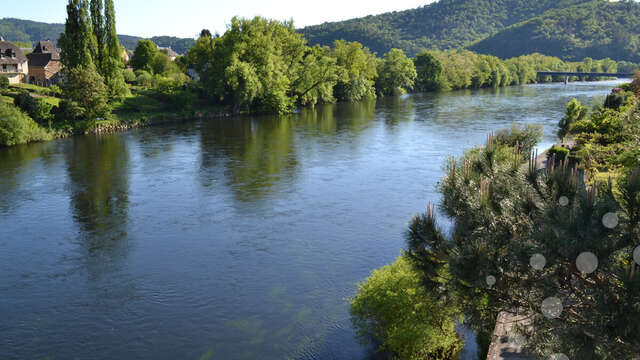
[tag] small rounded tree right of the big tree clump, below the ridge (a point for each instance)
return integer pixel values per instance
(397, 73)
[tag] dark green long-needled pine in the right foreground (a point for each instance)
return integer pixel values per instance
(507, 216)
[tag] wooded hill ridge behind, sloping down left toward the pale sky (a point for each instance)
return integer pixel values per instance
(445, 24)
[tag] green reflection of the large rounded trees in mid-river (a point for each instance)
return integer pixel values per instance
(257, 157)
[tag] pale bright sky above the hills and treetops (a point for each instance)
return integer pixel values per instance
(185, 18)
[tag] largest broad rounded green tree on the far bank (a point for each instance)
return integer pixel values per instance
(254, 65)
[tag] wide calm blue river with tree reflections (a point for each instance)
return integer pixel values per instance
(232, 238)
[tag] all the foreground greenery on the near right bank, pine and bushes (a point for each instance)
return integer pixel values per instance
(558, 243)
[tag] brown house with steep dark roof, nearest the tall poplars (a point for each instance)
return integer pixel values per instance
(44, 64)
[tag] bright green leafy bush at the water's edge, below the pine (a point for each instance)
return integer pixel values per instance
(393, 308)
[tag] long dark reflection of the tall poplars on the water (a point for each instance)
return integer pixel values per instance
(98, 173)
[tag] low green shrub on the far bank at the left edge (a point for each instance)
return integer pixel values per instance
(18, 128)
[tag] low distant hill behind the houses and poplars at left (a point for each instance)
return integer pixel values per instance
(33, 31)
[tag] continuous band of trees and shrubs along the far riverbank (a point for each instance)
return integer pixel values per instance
(258, 66)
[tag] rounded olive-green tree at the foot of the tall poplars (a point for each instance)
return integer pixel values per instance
(86, 93)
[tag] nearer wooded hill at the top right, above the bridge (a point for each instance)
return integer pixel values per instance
(598, 29)
